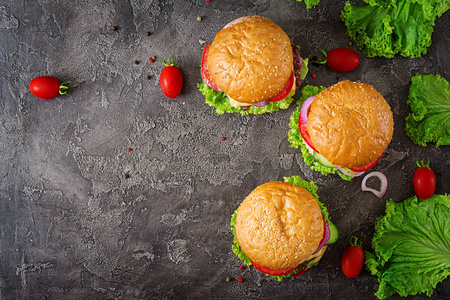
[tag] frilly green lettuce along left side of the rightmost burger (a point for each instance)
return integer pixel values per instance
(295, 138)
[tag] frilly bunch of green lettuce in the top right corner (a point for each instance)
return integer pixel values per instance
(389, 27)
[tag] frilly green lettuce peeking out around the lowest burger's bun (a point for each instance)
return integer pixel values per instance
(310, 187)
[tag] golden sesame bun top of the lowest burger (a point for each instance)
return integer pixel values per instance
(279, 225)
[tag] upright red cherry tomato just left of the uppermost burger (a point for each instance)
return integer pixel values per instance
(171, 80)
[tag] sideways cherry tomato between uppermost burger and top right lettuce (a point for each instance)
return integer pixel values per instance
(341, 59)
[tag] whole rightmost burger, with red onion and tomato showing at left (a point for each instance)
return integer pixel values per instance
(343, 129)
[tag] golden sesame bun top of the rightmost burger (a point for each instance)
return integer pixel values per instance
(350, 123)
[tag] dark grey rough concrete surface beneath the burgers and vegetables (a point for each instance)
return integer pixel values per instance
(72, 227)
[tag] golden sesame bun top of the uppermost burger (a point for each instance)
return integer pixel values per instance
(250, 59)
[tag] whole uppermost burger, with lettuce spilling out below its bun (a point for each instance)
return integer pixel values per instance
(251, 67)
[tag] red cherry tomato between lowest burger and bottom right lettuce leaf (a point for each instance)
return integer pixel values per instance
(352, 259)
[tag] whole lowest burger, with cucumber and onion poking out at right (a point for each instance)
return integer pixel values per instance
(281, 228)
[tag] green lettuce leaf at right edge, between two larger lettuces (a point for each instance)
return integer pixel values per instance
(429, 98)
